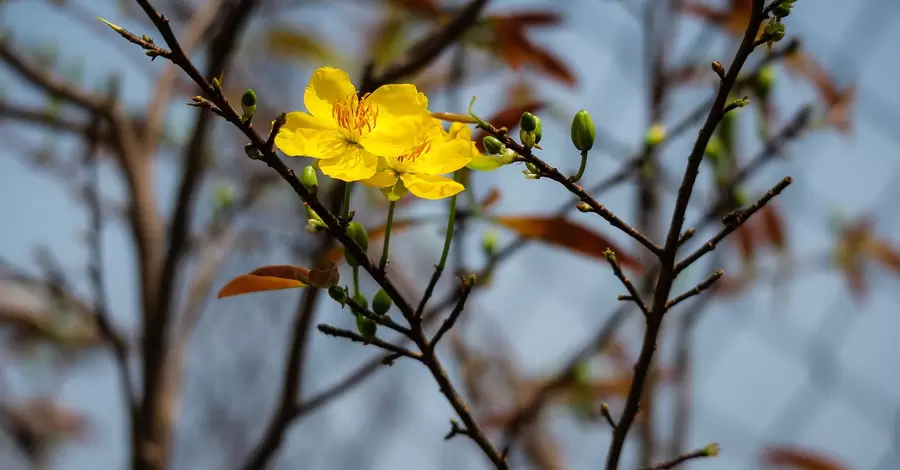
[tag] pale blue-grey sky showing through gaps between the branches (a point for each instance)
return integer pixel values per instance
(811, 368)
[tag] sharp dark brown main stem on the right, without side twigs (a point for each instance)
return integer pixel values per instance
(667, 258)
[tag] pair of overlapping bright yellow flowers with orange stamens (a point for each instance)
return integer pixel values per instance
(386, 139)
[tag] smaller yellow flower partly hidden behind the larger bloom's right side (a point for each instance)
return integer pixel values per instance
(435, 152)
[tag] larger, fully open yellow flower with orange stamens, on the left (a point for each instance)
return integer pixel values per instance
(347, 133)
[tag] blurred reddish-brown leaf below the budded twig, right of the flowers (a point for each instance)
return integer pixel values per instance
(564, 233)
